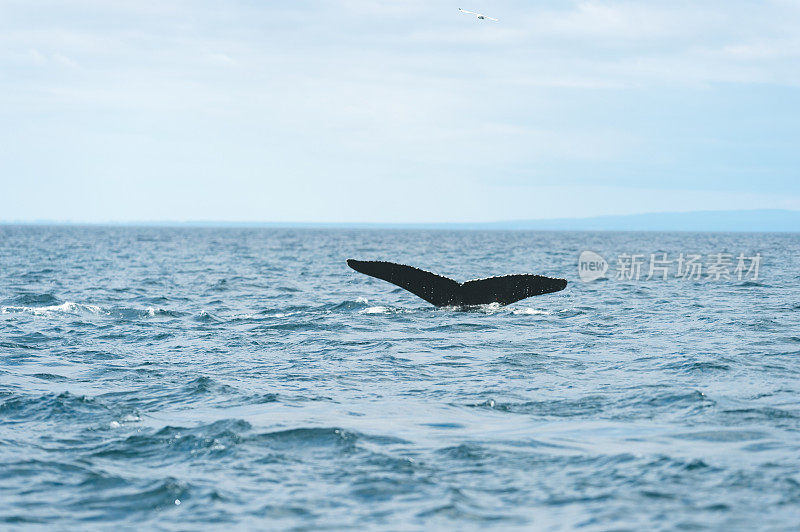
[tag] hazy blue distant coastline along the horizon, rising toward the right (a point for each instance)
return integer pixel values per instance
(750, 221)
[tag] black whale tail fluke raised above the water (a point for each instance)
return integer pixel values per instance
(444, 292)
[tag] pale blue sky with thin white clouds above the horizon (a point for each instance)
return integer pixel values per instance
(395, 111)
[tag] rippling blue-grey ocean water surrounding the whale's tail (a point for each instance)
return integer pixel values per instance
(179, 378)
